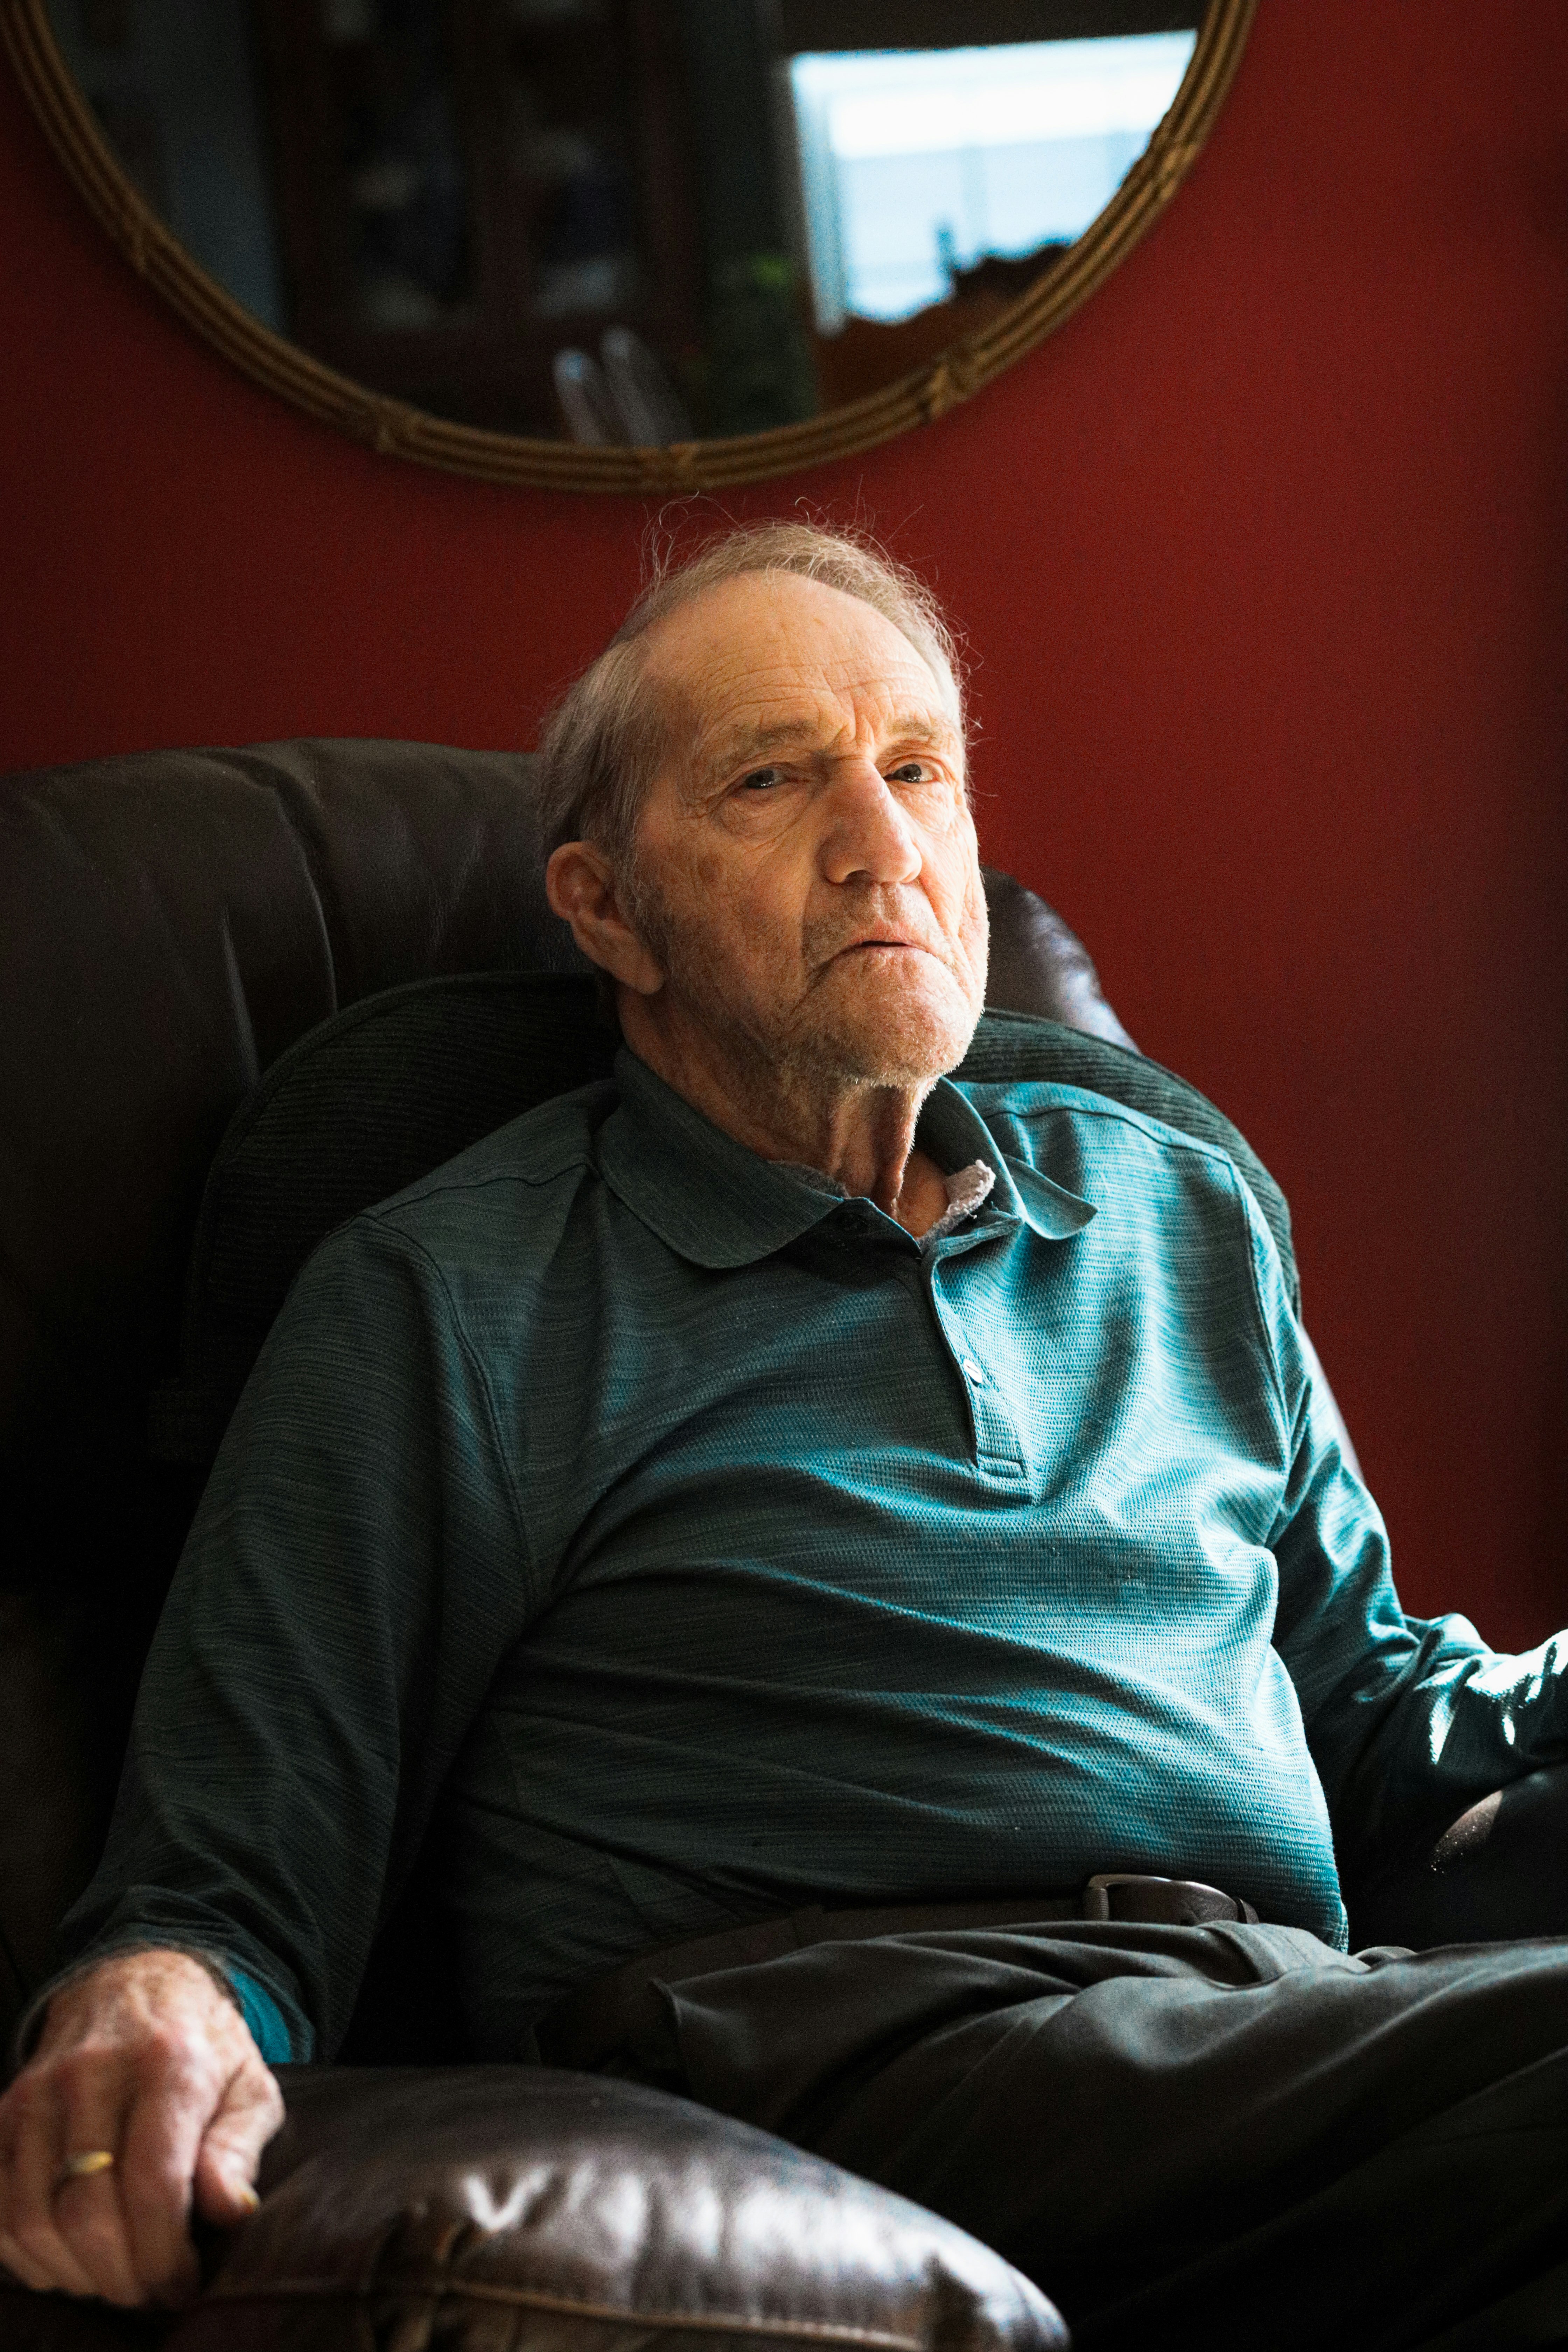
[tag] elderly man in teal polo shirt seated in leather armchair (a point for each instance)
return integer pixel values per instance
(777, 1530)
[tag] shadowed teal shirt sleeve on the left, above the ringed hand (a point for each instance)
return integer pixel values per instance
(354, 1577)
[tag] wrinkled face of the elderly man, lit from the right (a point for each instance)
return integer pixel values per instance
(808, 867)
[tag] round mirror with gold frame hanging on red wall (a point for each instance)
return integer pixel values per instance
(626, 243)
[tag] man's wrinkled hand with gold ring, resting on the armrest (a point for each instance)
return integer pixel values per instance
(147, 2062)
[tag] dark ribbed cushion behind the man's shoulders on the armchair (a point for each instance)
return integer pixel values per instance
(375, 1100)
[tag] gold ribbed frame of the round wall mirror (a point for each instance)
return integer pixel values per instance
(398, 429)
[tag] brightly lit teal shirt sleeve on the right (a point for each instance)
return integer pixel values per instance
(1409, 1720)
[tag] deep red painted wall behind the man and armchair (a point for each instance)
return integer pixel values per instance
(1264, 566)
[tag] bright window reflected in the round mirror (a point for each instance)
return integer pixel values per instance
(923, 163)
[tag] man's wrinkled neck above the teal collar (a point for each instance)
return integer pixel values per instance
(855, 1132)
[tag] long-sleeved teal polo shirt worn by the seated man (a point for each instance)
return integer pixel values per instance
(650, 1537)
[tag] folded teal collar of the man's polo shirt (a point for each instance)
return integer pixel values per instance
(718, 1203)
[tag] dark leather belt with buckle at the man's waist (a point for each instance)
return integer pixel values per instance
(617, 2010)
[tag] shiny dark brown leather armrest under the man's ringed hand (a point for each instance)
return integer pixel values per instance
(492, 2210)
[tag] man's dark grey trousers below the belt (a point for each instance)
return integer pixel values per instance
(1186, 2134)
